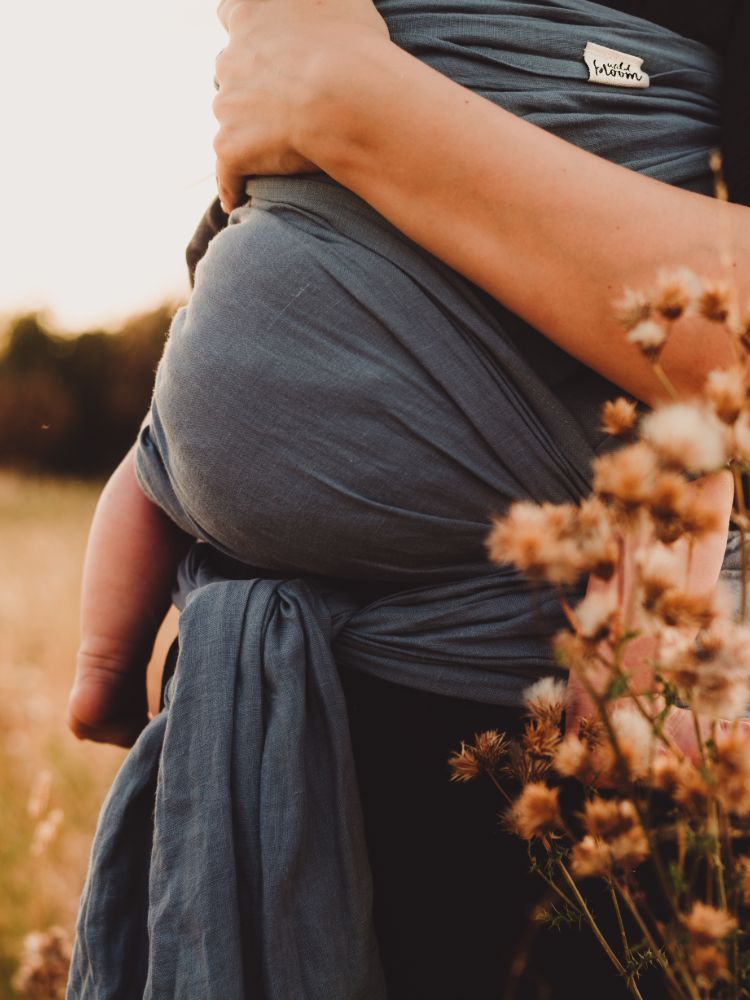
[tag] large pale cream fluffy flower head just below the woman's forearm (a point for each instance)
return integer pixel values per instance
(687, 436)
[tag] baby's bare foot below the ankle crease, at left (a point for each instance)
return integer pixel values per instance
(108, 702)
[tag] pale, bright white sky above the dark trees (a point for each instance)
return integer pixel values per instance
(106, 162)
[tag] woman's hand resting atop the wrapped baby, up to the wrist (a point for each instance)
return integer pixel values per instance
(267, 76)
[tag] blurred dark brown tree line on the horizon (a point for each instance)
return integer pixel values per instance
(73, 404)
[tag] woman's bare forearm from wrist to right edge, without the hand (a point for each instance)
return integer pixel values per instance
(553, 232)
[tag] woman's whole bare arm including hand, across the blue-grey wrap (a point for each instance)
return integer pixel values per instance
(551, 231)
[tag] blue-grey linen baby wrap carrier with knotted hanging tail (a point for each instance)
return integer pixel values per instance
(338, 409)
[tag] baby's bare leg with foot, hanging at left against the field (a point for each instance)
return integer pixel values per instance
(131, 561)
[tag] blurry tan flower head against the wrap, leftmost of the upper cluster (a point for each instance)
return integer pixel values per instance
(537, 540)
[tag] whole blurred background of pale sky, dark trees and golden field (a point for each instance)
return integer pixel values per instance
(106, 168)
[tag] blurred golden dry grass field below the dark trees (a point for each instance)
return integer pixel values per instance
(51, 786)
